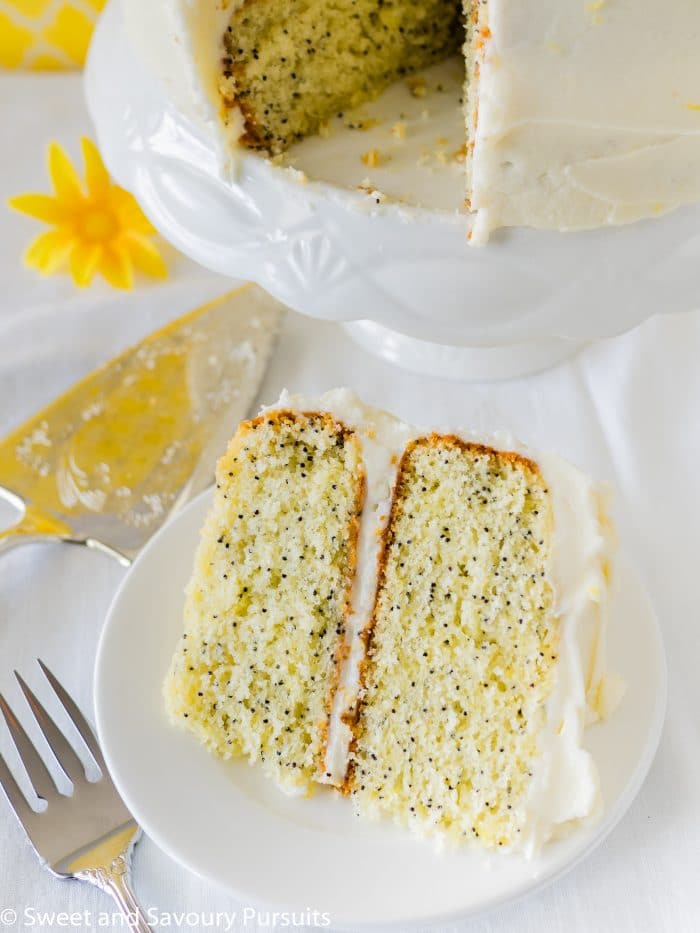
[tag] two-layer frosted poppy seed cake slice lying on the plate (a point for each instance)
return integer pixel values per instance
(415, 619)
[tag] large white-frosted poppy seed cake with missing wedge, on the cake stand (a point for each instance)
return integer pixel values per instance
(574, 114)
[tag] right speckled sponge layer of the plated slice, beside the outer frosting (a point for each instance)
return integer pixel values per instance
(463, 645)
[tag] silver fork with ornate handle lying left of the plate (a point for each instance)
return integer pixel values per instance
(88, 835)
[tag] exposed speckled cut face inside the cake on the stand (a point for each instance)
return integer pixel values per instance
(291, 67)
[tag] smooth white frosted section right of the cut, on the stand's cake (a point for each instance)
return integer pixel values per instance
(589, 113)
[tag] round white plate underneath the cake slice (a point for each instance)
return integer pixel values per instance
(227, 823)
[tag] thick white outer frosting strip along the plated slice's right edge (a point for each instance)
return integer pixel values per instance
(565, 788)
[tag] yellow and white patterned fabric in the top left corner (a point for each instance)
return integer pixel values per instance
(46, 34)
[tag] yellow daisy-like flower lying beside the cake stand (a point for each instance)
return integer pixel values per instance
(97, 228)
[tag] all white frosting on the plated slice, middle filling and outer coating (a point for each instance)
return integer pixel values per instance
(565, 788)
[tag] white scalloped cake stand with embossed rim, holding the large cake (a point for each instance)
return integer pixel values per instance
(399, 275)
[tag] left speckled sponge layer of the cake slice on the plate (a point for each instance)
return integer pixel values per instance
(265, 614)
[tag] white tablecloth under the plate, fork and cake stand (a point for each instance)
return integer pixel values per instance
(627, 410)
